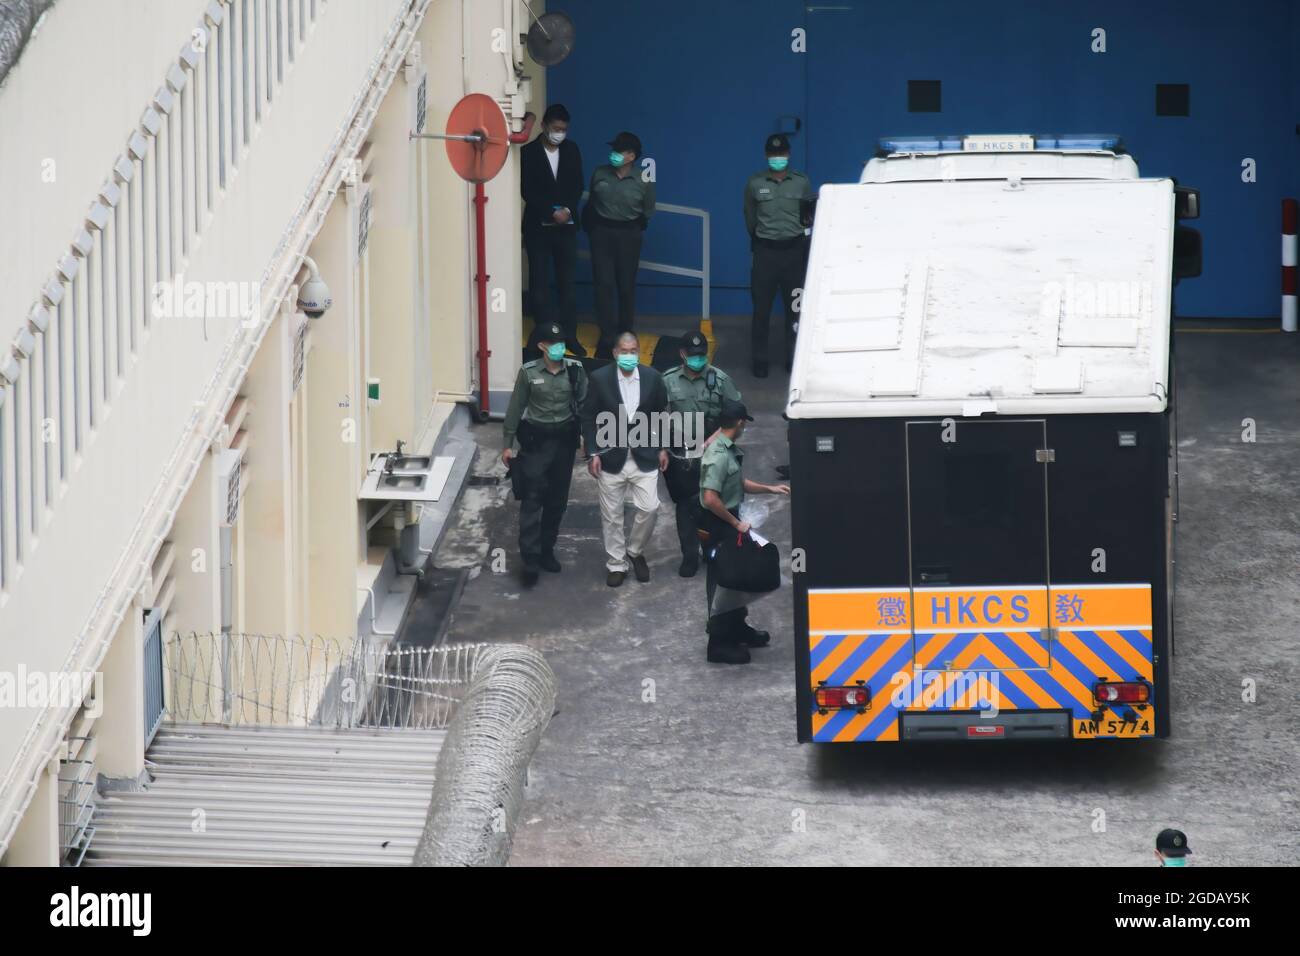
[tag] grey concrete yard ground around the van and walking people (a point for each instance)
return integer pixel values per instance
(657, 758)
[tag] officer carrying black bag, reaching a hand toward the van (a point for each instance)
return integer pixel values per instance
(722, 488)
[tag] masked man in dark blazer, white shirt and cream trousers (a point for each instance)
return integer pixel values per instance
(626, 435)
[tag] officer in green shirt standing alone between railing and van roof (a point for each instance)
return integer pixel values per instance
(775, 200)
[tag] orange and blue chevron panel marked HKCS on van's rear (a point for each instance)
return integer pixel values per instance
(866, 635)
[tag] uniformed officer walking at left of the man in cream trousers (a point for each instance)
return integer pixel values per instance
(544, 417)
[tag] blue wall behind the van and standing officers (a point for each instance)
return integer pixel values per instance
(703, 84)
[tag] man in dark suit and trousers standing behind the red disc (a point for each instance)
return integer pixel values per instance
(552, 185)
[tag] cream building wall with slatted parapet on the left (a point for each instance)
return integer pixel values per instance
(144, 485)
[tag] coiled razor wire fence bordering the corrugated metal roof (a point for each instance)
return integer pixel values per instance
(493, 700)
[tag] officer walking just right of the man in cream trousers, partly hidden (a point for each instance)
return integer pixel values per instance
(696, 395)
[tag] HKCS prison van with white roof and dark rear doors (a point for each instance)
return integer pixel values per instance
(981, 444)
